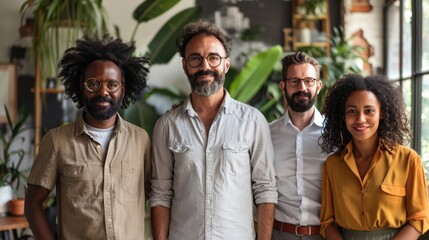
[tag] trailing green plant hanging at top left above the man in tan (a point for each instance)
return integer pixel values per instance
(60, 22)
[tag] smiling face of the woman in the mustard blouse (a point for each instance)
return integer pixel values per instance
(362, 115)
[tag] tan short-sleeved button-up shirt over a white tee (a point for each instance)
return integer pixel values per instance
(98, 198)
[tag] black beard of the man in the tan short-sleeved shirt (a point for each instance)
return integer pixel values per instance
(100, 113)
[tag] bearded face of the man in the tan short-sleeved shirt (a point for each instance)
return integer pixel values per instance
(102, 104)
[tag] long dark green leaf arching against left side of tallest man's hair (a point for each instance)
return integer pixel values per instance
(163, 46)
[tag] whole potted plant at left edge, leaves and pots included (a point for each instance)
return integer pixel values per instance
(11, 174)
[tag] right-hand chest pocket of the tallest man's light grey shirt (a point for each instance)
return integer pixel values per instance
(236, 159)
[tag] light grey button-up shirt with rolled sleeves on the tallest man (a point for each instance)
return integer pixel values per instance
(211, 181)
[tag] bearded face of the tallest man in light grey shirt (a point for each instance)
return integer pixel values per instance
(205, 80)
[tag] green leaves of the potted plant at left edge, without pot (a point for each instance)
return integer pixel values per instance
(10, 161)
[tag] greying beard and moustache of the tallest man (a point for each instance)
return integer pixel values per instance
(203, 87)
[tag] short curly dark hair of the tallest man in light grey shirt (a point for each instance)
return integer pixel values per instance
(200, 27)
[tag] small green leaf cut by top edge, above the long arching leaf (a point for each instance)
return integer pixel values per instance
(151, 9)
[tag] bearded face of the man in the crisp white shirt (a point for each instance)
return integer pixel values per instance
(300, 98)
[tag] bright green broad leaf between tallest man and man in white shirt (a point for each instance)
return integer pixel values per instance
(254, 74)
